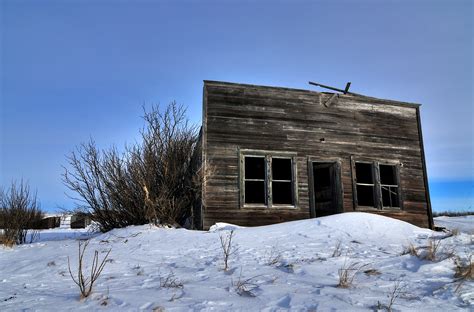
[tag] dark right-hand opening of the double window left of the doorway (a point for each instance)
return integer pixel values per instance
(282, 181)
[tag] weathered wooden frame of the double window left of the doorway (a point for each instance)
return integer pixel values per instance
(268, 155)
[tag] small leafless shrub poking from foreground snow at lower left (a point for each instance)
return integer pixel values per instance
(86, 284)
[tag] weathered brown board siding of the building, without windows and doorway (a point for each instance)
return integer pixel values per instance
(237, 116)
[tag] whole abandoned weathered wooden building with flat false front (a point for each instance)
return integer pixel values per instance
(277, 154)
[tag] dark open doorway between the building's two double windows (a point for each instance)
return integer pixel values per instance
(326, 189)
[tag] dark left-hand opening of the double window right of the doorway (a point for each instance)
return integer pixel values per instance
(365, 184)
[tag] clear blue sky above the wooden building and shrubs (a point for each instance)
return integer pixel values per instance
(71, 70)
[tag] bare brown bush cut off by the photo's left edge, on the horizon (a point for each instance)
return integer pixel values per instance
(19, 213)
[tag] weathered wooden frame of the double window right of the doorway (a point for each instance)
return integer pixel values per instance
(378, 202)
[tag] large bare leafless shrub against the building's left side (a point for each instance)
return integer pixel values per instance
(151, 182)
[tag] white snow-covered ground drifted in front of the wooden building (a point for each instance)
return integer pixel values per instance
(289, 266)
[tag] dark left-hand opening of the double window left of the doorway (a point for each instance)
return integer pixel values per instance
(254, 179)
